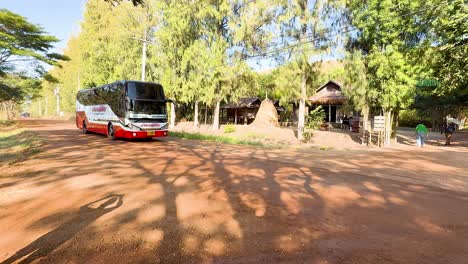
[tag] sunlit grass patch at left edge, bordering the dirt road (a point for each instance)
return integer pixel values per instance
(17, 144)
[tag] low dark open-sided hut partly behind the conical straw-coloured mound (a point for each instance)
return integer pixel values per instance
(244, 111)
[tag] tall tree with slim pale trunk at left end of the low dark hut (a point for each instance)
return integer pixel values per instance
(235, 29)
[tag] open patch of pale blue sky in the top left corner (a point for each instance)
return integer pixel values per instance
(60, 18)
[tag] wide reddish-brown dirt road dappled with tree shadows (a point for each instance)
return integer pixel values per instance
(87, 199)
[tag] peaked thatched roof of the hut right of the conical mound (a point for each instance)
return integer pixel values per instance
(329, 93)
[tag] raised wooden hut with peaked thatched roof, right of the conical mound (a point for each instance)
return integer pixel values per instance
(331, 98)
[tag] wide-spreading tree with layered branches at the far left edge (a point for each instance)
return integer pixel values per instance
(25, 44)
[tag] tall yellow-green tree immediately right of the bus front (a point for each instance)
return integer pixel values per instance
(176, 43)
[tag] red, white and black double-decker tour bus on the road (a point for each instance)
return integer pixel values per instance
(123, 109)
